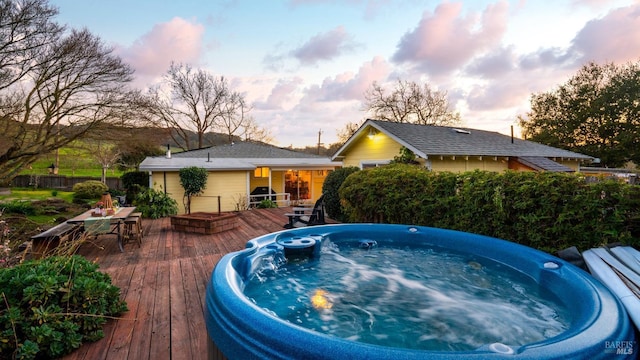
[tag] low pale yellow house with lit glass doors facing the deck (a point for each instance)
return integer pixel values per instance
(239, 169)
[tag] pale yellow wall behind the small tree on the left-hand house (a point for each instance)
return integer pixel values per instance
(229, 185)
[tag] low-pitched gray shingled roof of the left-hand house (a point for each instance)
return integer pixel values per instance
(246, 150)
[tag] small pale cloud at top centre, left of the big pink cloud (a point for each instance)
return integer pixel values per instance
(325, 46)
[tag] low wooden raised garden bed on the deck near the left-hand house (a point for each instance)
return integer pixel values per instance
(204, 222)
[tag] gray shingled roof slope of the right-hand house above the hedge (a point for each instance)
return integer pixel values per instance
(442, 140)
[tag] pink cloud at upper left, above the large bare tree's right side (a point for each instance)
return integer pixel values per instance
(177, 40)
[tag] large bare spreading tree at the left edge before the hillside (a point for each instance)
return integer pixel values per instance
(73, 83)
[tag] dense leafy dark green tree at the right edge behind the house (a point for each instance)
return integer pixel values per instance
(596, 112)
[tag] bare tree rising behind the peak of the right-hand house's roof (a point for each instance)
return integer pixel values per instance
(410, 103)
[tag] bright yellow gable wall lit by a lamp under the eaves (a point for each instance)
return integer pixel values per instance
(381, 147)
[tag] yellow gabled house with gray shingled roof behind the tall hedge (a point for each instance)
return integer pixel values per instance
(456, 149)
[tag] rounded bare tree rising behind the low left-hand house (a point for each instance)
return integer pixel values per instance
(201, 102)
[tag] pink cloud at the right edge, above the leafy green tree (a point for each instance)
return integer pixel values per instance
(612, 38)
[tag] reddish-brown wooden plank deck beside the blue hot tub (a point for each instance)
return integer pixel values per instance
(163, 283)
